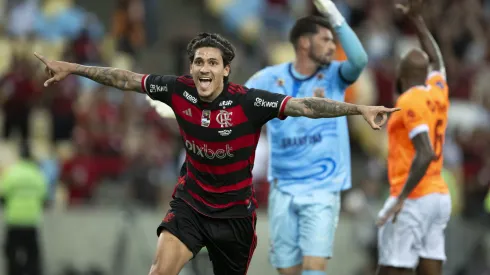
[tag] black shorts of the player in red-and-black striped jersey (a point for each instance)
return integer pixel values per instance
(230, 242)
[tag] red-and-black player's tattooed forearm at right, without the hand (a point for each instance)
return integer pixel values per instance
(314, 107)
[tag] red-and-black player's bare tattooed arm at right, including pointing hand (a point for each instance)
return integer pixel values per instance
(315, 107)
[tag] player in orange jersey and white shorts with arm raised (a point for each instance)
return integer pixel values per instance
(419, 199)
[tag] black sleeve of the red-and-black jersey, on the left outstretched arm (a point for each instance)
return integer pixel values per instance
(159, 87)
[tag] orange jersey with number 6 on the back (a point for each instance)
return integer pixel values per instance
(424, 108)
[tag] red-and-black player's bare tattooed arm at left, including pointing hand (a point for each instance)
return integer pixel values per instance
(121, 79)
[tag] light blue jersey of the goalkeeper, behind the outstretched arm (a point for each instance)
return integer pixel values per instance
(307, 154)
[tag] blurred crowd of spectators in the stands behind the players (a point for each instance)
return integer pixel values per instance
(86, 135)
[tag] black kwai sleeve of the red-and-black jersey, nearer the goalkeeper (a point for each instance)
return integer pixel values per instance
(262, 106)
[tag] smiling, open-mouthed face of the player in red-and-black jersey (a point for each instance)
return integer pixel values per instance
(208, 71)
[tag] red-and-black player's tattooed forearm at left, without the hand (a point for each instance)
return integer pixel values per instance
(121, 79)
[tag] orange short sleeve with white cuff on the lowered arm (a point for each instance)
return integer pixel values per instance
(415, 115)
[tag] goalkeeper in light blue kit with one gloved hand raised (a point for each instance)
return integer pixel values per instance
(309, 158)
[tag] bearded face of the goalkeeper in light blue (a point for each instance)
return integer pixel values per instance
(322, 46)
